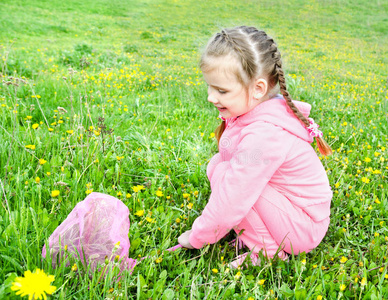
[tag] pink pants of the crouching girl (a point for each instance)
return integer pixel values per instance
(275, 223)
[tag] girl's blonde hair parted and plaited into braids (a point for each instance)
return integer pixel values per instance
(259, 56)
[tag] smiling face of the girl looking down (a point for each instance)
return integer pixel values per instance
(227, 94)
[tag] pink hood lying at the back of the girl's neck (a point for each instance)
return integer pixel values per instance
(277, 112)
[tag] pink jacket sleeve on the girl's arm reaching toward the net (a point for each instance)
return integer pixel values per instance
(237, 184)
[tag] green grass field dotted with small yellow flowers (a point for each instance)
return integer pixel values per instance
(66, 64)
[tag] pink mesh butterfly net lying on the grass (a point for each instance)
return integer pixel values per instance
(95, 230)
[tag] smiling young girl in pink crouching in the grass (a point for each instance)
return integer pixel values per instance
(267, 182)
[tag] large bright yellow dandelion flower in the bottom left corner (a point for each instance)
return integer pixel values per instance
(36, 285)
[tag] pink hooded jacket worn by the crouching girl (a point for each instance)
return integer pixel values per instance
(267, 145)
